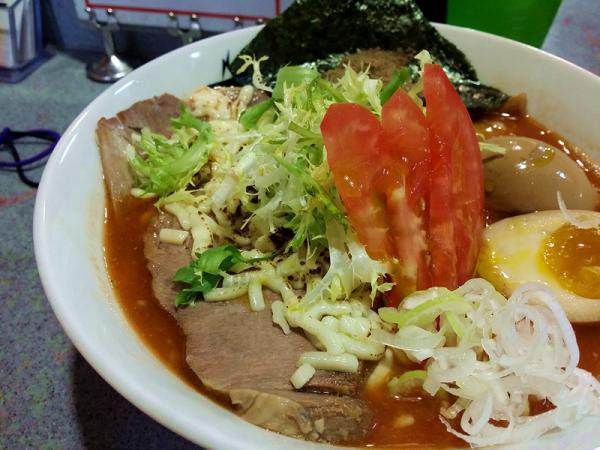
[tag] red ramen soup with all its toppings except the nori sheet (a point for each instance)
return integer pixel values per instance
(345, 262)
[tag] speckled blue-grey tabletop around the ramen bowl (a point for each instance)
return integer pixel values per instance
(50, 397)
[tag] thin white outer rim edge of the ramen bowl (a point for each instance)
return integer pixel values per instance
(148, 402)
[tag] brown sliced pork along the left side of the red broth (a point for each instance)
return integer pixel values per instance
(233, 351)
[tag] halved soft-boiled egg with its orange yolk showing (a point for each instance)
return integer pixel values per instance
(545, 247)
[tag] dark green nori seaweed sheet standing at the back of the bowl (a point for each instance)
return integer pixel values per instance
(321, 32)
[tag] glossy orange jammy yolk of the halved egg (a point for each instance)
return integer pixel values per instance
(573, 256)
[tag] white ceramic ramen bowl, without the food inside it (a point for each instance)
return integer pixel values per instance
(69, 214)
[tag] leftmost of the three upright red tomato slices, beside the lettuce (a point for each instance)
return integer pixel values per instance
(352, 137)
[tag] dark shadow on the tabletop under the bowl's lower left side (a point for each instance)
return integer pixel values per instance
(106, 420)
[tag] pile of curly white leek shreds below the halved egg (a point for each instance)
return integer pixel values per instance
(507, 351)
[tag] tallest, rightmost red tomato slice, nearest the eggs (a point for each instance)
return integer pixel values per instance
(456, 217)
